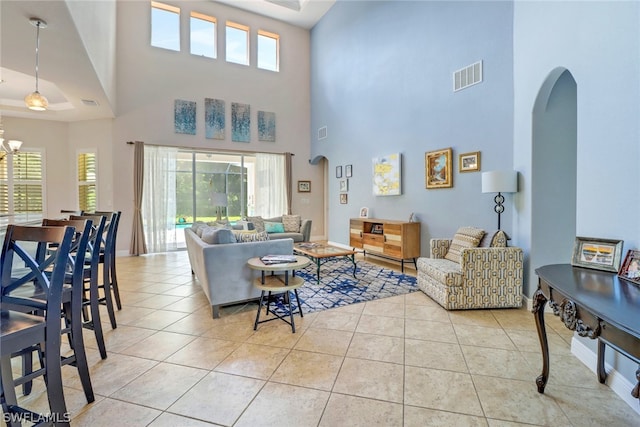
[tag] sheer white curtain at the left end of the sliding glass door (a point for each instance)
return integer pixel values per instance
(159, 198)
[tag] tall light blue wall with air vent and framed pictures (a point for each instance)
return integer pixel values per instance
(382, 82)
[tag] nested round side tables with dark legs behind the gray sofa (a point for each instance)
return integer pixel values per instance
(274, 283)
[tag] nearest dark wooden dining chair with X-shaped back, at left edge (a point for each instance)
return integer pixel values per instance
(19, 330)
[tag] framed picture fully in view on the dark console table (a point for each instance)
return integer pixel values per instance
(597, 254)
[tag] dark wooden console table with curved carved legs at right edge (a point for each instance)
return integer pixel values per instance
(595, 304)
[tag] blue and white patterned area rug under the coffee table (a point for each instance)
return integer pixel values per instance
(338, 287)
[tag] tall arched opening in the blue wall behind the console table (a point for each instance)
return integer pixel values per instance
(554, 171)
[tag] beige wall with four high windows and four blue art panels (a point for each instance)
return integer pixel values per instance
(150, 79)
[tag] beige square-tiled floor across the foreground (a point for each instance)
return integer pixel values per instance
(401, 361)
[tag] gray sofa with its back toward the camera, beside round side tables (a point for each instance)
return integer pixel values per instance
(221, 268)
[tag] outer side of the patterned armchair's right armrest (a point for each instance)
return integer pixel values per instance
(496, 265)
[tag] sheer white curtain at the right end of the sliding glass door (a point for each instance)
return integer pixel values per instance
(271, 189)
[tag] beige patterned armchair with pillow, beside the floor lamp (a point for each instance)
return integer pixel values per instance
(485, 277)
